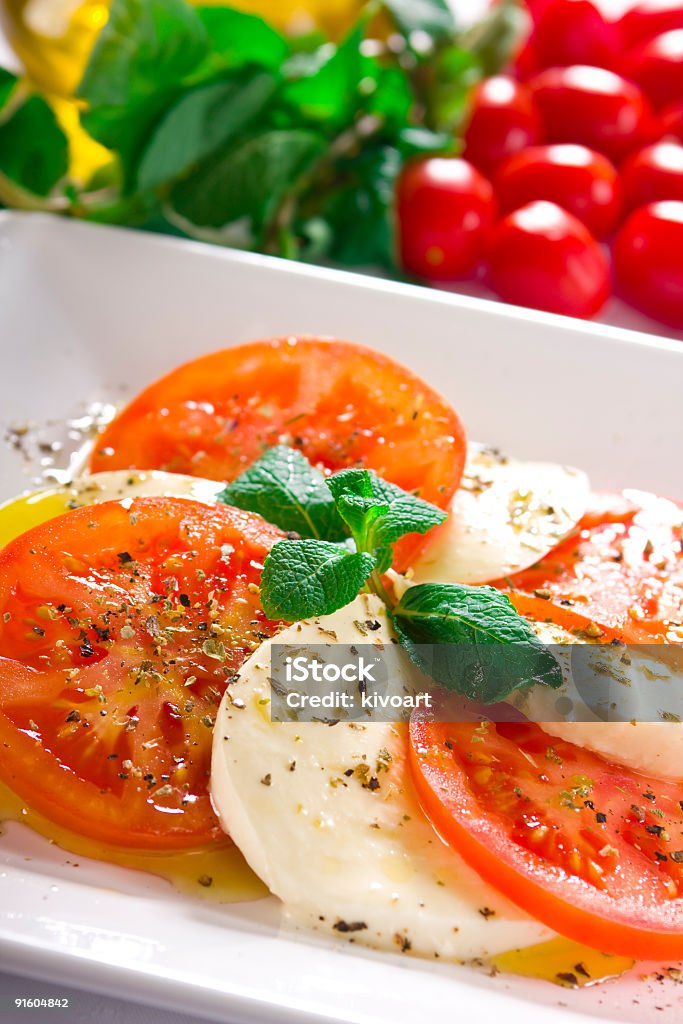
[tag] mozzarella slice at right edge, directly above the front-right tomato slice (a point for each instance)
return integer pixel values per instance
(644, 685)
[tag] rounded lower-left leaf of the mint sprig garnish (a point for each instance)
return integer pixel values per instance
(302, 579)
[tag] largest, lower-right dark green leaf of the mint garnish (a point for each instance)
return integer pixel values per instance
(472, 641)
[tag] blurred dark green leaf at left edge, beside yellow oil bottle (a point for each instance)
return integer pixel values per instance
(34, 151)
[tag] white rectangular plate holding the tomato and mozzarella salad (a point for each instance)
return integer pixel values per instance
(91, 314)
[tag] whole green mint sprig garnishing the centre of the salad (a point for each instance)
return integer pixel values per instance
(453, 632)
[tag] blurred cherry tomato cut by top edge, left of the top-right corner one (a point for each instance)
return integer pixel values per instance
(574, 32)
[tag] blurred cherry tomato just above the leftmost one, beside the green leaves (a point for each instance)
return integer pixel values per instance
(504, 120)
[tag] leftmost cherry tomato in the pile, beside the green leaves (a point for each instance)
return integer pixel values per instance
(446, 209)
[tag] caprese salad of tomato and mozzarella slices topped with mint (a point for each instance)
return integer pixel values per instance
(311, 491)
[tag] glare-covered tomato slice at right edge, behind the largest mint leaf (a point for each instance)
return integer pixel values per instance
(623, 572)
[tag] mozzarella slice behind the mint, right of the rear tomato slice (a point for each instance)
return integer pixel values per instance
(506, 516)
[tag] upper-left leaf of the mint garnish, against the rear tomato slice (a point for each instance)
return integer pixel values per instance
(285, 489)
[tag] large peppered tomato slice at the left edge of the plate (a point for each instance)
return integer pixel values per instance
(121, 625)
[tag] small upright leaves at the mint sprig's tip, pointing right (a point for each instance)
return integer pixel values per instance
(377, 513)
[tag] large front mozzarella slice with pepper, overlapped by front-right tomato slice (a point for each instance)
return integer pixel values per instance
(355, 861)
